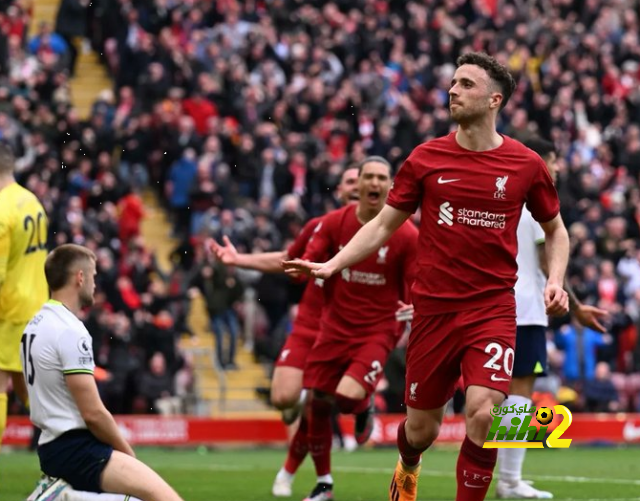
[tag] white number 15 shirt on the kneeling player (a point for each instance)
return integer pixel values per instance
(55, 343)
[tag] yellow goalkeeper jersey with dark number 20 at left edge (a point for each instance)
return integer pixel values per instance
(23, 250)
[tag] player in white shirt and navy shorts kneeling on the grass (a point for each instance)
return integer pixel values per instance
(81, 450)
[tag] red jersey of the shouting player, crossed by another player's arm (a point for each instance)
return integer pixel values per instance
(363, 298)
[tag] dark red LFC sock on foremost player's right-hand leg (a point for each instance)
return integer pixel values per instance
(474, 471)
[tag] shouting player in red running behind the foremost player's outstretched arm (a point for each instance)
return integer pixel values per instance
(358, 321)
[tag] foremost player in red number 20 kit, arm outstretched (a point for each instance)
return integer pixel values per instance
(471, 186)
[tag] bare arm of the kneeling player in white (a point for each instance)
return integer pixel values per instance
(95, 415)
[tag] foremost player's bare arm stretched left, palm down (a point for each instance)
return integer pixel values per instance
(370, 238)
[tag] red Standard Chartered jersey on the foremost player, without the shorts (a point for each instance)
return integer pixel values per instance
(470, 207)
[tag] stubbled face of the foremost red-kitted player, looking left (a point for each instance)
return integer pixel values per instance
(472, 94)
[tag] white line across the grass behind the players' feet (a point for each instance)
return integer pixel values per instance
(428, 473)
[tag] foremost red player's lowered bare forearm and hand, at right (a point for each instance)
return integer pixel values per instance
(557, 252)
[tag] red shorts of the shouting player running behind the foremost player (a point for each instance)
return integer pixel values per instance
(362, 358)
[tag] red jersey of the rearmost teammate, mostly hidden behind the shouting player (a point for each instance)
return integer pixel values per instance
(312, 301)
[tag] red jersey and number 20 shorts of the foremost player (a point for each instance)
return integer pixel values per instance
(475, 207)
